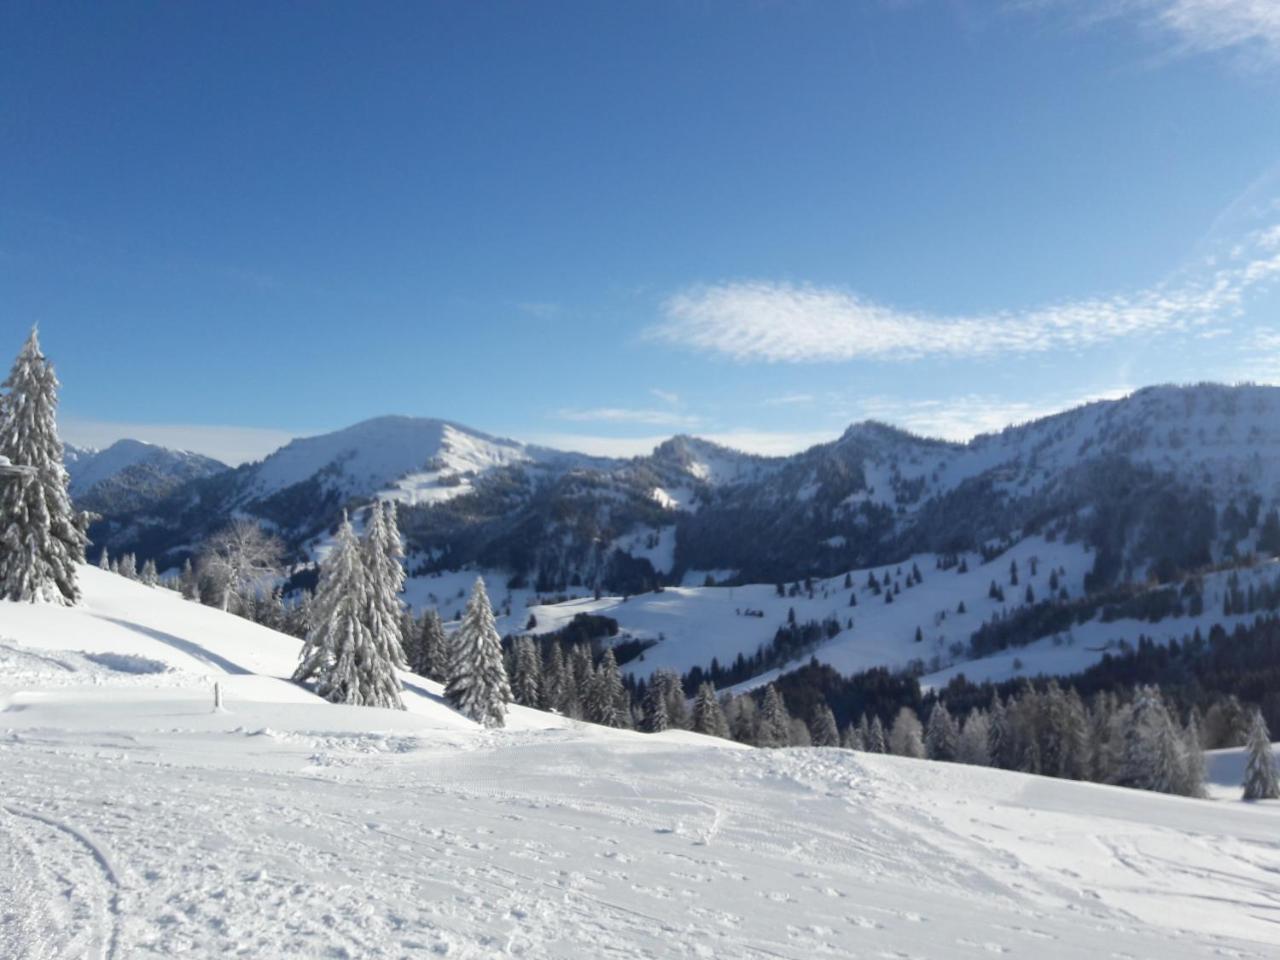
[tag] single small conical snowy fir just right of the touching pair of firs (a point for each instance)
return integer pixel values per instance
(478, 679)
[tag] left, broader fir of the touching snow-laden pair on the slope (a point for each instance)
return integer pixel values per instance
(340, 653)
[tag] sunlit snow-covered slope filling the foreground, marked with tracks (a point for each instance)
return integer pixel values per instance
(135, 821)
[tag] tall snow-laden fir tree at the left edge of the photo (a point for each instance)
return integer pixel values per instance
(42, 536)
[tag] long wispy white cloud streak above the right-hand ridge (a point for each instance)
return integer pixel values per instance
(764, 321)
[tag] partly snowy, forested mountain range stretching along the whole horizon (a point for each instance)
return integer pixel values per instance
(1167, 479)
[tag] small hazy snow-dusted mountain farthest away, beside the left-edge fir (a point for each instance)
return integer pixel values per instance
(131, 474)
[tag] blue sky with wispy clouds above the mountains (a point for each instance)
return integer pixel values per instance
(601, 223)
